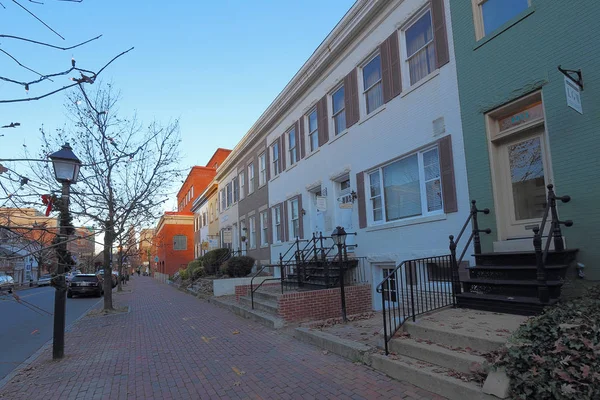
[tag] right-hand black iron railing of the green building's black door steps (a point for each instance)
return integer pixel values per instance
(555, 235)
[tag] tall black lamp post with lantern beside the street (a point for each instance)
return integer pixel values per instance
(66, 171)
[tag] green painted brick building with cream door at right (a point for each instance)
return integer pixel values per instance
(525, 126)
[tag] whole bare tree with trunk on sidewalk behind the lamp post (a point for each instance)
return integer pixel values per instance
(127, 169)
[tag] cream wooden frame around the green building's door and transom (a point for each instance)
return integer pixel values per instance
(497, 139)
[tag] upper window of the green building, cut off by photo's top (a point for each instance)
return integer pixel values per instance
(492, 14)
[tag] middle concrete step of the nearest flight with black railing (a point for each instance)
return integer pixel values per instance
(435, 354)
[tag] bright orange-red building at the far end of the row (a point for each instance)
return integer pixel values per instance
(174, 234)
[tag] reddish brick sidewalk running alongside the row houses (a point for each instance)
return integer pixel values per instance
(174, 346)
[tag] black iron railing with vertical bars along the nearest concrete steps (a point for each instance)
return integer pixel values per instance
(415, 287)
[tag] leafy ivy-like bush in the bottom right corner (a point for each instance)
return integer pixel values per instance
(555, 355)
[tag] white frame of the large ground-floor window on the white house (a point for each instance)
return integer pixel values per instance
(422, 187)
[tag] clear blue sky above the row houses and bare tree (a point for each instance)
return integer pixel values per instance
(216, 65)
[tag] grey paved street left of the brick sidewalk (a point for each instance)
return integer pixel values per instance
(24, 331)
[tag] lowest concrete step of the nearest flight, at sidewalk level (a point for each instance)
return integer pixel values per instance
(430, 377)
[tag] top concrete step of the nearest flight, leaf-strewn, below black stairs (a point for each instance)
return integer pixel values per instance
(445, 335)
